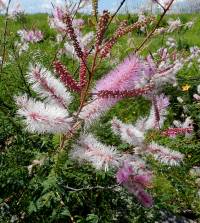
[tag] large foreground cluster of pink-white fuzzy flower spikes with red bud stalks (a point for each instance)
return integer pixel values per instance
(134, 76)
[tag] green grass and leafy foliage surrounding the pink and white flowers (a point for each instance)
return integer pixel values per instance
(43, 195)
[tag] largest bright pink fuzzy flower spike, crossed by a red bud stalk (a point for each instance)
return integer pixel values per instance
(123, 77)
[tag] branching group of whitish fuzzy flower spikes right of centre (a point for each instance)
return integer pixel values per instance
(135, 135)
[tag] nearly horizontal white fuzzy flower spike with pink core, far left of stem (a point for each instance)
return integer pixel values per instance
(43, 118)
